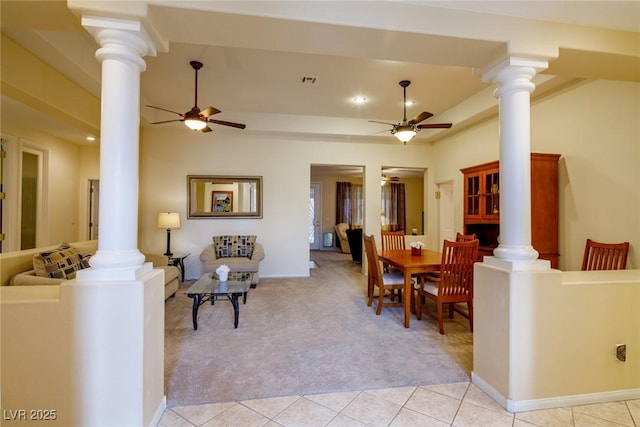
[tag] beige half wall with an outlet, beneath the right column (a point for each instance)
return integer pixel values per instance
(546, 339)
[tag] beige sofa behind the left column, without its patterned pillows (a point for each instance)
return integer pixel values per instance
(16, 268)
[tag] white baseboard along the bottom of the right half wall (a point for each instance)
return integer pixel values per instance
(553, 402)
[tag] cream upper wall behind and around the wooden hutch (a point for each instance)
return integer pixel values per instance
(595, 128)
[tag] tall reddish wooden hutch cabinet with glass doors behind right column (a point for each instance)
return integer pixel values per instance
(482, 205)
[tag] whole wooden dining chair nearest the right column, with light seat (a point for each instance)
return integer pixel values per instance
(455, 284)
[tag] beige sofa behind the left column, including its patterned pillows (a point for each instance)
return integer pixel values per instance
(19, 268)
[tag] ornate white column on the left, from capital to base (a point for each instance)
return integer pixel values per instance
(123, 44)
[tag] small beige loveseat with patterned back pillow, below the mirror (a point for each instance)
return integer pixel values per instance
(241, 253)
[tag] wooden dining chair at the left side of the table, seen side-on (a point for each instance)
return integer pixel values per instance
(387, 283)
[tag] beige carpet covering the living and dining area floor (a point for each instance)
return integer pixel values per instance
(304, 336)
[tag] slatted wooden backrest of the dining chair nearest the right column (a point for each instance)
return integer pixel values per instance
(456, 268)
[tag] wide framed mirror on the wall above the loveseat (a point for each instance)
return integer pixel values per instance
(220, 196)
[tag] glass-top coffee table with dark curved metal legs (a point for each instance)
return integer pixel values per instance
(209, 288)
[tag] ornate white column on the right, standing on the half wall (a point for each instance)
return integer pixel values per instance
(513, 77)
